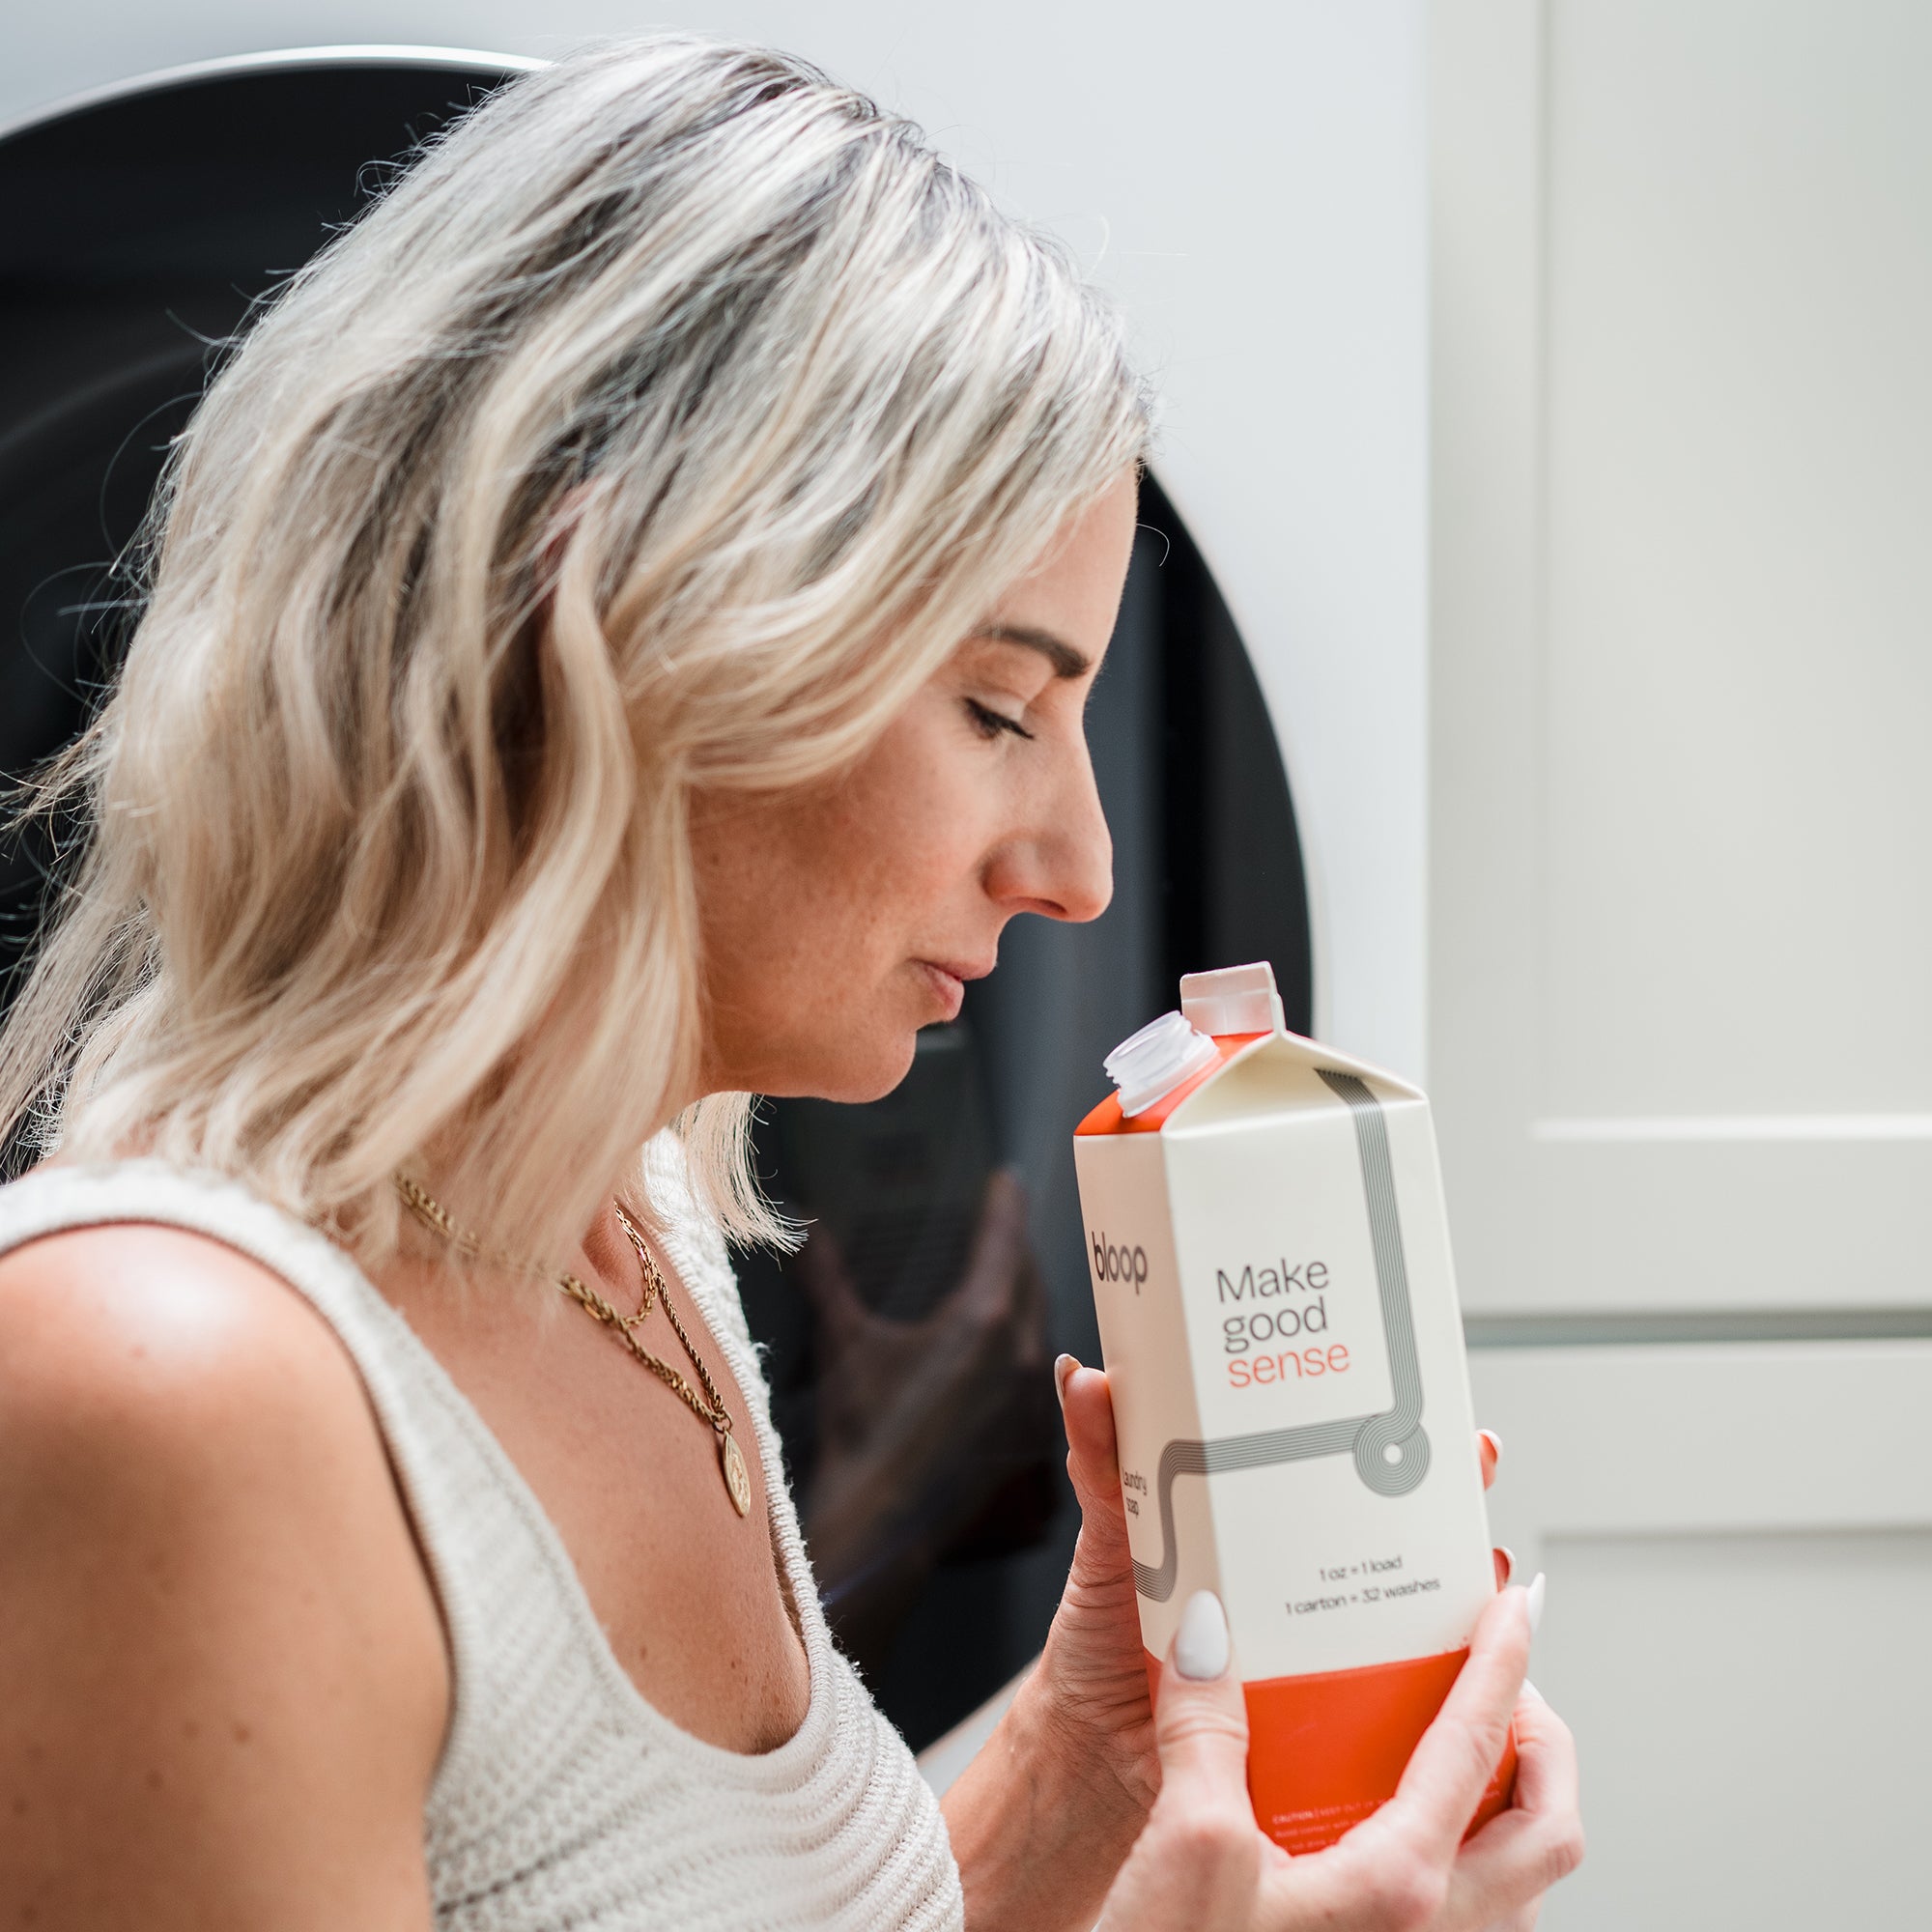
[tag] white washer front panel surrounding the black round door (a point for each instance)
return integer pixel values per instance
(1249, 179)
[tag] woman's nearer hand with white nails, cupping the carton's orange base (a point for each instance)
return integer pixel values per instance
(1203, 1865)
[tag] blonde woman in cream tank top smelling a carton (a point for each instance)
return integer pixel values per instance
(617, 644)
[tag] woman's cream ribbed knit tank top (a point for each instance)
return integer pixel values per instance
(563, 1800)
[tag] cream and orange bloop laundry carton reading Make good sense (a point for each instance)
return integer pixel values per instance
(1280, 1324)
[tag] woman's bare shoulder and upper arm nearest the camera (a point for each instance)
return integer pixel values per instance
(223, 1682)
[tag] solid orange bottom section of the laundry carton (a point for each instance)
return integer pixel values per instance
(1328, 1749)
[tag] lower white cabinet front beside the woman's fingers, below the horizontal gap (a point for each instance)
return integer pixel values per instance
(1740, 1554)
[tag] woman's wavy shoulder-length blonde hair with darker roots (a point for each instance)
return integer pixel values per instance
(660, 432)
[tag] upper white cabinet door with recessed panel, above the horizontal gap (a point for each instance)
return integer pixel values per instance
(1682, 797)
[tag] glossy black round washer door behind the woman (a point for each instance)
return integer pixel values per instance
(913, 1336)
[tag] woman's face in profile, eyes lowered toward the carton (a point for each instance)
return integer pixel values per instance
(841, 921)
